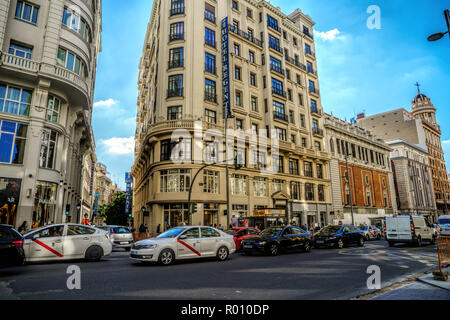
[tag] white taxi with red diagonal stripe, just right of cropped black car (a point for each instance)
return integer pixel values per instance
(66, 241)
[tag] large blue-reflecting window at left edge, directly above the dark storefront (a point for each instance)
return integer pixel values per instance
(12, 142)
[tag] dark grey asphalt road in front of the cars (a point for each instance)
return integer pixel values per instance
(320, 274)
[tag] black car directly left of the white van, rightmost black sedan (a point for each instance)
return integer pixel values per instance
(339, 236)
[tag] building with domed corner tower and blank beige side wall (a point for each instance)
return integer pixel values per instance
(418, 127)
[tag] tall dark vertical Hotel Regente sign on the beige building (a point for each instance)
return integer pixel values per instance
(226, 69)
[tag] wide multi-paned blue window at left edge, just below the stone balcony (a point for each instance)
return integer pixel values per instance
(15, 100)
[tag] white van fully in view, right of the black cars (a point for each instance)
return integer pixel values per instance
(408, 229)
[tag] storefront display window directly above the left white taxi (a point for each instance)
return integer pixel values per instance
(44, 209)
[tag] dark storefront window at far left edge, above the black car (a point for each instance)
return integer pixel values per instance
(9, 200)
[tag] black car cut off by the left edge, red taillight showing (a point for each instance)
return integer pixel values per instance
(11, 247)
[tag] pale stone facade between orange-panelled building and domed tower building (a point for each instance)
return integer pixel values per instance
(412, 179)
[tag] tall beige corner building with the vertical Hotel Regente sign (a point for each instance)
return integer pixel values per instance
(273, 85)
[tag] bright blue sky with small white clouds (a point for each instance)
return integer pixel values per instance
(361, 69)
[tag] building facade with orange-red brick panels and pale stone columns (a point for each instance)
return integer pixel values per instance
(366, 194)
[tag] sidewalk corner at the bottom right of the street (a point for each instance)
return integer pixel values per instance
(423, 288)
